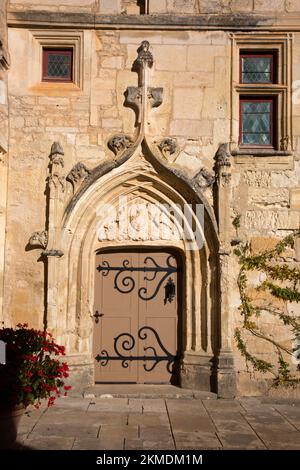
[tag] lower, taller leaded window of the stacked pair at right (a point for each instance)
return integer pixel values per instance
(257, 122)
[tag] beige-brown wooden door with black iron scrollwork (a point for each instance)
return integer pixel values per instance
(136, 317)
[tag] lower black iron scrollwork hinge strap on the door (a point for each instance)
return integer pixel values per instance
(125, 342)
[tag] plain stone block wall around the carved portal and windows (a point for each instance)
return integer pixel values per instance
(194, 69)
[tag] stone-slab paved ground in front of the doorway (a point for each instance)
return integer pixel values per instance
(162, 423)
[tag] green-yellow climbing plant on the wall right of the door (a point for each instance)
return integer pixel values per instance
(281, 280)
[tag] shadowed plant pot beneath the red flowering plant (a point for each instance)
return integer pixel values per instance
(9, 422)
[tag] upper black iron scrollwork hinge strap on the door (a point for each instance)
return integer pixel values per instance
(124, 281)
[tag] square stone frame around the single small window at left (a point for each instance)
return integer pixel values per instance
(55, 39)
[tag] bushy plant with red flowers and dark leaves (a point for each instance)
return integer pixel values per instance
(32, 371)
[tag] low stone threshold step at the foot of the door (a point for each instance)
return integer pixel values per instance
(144, 391)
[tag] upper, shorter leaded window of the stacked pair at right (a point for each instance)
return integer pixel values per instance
(257, 68)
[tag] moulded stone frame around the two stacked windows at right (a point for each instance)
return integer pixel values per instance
(281, 45)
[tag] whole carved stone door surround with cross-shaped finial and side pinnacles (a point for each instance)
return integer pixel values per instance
(140, 171)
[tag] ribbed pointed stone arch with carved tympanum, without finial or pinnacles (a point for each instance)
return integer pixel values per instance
(86, 228)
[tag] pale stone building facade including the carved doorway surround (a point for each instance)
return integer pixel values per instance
(151, 112)
